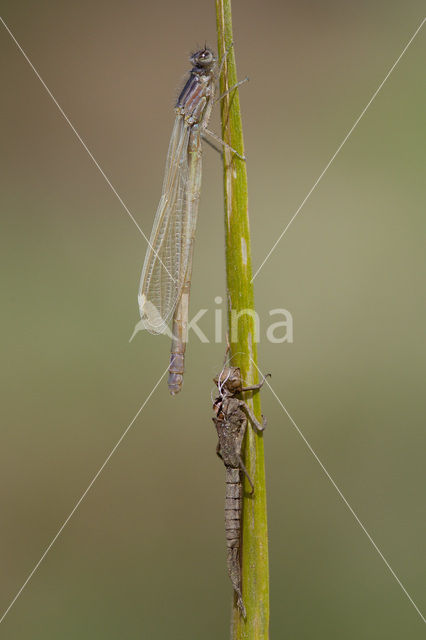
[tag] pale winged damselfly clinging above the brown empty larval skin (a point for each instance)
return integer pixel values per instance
(166, 274)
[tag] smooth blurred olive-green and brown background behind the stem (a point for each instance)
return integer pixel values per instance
(143, 556)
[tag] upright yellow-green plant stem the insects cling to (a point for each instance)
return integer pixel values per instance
(255, 569)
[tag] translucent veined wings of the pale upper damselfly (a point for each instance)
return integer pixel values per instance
(167, 256)
